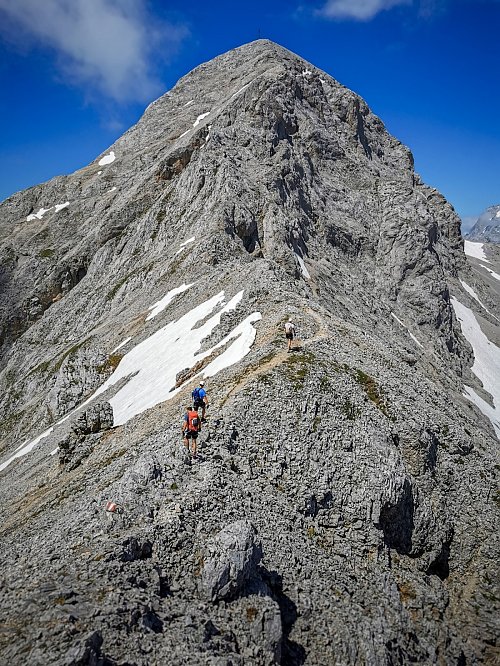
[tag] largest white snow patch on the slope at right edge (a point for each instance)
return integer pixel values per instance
(486, 363)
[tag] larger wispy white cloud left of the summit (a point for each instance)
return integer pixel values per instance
(110, 46)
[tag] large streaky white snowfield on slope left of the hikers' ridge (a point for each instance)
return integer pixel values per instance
(152, 365)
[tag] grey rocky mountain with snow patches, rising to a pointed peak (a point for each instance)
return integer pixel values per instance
(343, 507)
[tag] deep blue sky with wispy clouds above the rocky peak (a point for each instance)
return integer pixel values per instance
(75, 74)
